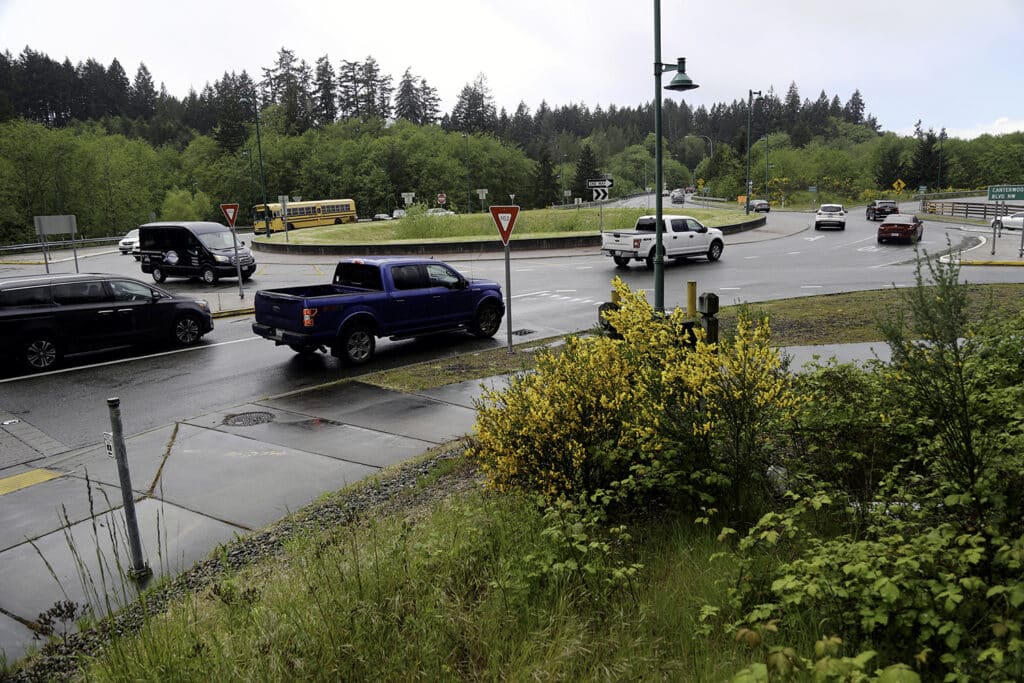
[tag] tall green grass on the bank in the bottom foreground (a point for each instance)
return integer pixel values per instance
(451, 592)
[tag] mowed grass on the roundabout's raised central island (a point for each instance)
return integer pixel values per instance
(481, 227)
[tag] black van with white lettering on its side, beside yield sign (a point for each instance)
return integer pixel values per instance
(193, 249)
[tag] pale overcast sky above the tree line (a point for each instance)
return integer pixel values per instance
(951, 64)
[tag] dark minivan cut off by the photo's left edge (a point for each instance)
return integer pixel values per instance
(47, 317)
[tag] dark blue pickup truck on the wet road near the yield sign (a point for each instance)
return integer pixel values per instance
(396, 297)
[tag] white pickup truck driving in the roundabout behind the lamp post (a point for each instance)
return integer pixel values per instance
(682, 237)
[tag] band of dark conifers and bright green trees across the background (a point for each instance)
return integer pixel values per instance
(90, 141)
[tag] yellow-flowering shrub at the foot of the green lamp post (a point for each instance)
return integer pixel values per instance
(658, 409)
